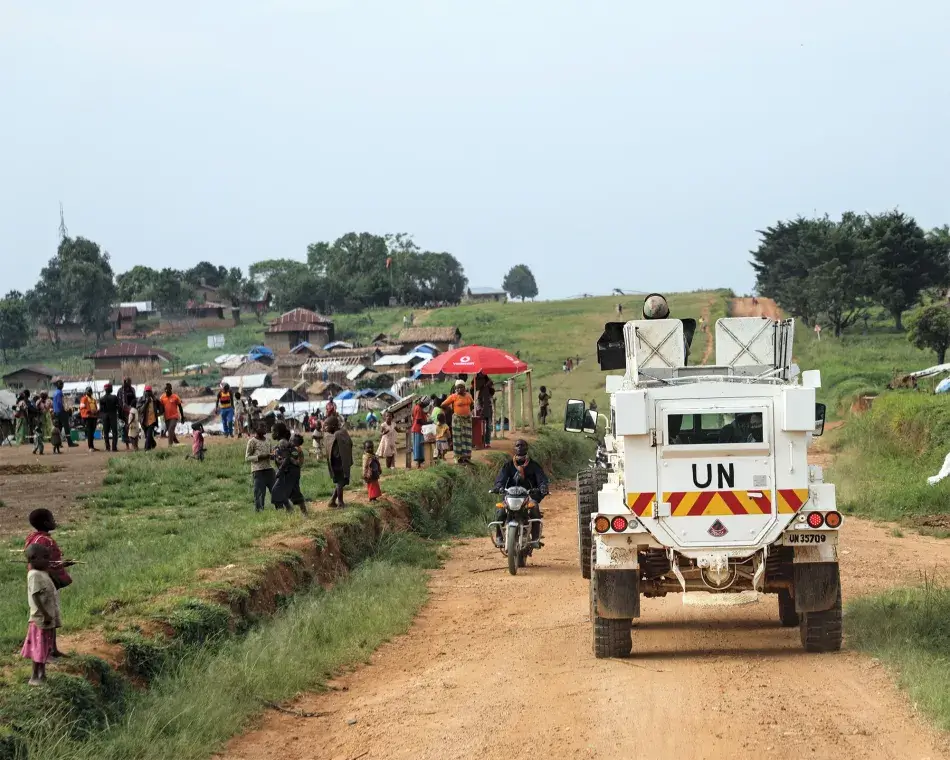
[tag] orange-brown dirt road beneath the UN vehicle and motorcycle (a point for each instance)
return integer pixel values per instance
(501, 667)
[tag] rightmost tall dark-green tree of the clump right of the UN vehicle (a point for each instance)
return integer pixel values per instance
(903, 262)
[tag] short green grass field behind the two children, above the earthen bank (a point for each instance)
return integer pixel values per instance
(158, 519)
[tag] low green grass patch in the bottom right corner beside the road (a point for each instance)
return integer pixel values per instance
(907, 629)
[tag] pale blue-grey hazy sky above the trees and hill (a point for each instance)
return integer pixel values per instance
(605, 143)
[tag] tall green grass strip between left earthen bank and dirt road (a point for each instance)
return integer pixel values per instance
(211, 695)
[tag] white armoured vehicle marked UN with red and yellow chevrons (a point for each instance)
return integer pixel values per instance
(702, 481)
